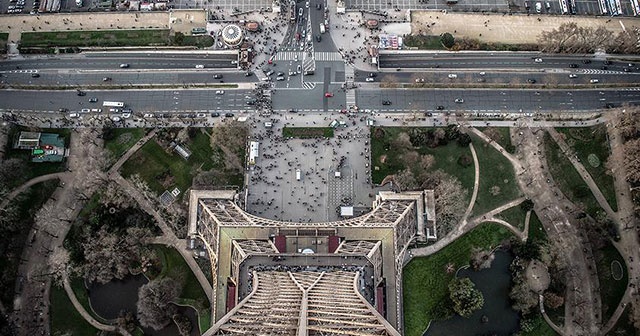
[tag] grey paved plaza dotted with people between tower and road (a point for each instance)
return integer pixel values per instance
(274, 192)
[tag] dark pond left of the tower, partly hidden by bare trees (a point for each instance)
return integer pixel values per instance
(107, 300)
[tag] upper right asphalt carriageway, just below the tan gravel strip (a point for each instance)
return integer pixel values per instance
(497, 60)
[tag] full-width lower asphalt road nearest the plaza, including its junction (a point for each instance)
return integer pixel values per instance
(402, 100)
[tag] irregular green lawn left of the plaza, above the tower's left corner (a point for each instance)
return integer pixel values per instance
(163, 170)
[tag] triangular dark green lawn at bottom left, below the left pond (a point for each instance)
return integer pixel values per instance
(65, 320)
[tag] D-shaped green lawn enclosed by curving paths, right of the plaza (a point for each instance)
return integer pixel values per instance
(497, 183)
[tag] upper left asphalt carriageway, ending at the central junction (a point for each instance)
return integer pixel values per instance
(101, 61)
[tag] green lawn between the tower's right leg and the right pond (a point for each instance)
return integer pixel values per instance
(425, 280)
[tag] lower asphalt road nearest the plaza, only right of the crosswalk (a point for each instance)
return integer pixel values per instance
(483, 100)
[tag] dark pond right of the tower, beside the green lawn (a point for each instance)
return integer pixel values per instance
(494, 283)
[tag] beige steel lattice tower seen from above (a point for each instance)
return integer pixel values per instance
(307, 300)
